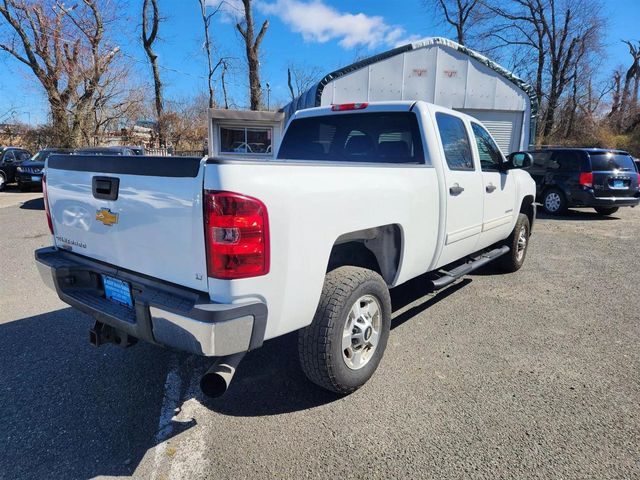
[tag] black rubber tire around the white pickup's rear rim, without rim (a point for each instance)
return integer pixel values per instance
(320, 344)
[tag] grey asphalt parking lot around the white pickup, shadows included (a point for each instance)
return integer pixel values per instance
(530, 375)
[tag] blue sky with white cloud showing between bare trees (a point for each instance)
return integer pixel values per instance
(325, 34)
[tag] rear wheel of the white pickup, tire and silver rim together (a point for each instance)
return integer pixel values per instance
(344, 344)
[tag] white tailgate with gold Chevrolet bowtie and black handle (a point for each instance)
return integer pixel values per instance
(142, 214)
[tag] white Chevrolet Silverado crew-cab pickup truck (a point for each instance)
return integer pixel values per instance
(214, 257)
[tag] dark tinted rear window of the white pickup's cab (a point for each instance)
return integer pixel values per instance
(375, 137)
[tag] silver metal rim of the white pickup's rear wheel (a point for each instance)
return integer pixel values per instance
(361, 332)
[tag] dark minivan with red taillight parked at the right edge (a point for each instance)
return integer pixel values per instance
(584, 177)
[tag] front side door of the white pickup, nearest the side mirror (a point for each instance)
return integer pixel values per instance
(499, 189)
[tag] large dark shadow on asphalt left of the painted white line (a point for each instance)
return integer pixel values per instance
(70, 410)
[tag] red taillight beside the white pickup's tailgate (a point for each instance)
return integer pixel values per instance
(237, 235)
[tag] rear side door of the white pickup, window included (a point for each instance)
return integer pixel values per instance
(463, 189)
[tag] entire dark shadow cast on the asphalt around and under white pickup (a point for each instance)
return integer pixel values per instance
(73, 411)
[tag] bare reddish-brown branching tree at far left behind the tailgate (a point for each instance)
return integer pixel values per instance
(64, 46)
